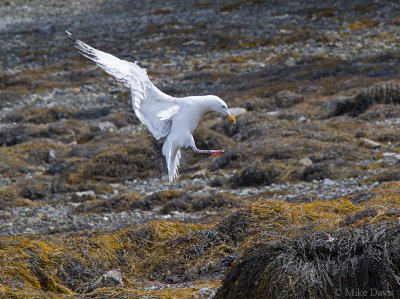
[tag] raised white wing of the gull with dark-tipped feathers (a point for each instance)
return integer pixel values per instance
(153, 107)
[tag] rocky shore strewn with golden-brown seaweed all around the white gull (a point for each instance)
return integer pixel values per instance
(83, 184)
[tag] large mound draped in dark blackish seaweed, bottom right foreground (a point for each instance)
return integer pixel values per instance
(284, 268)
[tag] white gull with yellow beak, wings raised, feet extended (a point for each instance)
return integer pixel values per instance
(164, 115)
